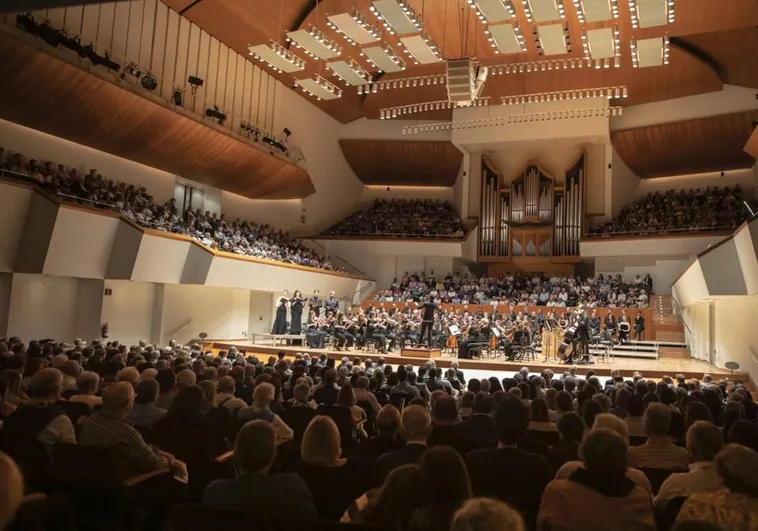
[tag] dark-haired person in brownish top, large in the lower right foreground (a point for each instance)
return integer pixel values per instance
(595, 495)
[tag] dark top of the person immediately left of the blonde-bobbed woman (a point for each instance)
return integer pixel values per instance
(278, 494)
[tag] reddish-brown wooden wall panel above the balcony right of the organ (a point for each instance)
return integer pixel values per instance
(694, 146)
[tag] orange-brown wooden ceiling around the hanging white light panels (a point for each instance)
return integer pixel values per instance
(724, 30)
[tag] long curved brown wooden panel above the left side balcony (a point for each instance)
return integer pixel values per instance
(54, 96)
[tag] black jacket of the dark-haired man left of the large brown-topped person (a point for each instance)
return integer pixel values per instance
(511, 475)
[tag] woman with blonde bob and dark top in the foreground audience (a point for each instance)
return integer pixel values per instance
(333, 482)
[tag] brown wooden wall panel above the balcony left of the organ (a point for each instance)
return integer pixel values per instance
(401, 163)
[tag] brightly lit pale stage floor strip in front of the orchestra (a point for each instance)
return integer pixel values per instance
(691, 368)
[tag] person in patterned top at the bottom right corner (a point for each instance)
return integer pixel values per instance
(735, 507)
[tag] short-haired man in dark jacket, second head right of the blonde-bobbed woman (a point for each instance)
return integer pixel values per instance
(414, 424)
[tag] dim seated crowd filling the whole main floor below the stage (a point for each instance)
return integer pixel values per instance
(99, 431)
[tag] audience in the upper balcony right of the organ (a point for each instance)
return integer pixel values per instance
(678, 211)
